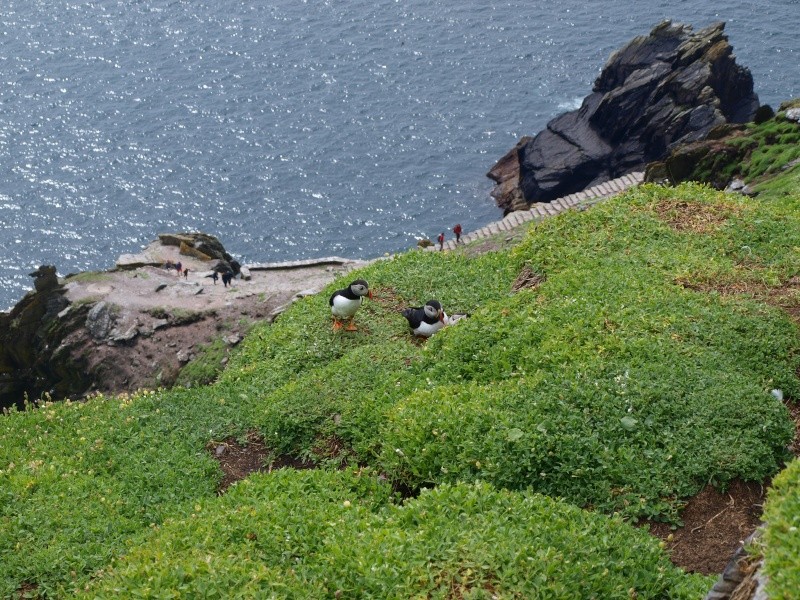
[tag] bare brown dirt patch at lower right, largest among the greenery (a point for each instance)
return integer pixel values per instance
(715, 524)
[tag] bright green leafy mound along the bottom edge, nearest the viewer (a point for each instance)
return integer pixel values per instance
(330, 535)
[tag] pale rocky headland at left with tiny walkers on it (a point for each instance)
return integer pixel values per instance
(139, 324)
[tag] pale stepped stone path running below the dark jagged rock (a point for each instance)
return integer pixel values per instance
(542, 210)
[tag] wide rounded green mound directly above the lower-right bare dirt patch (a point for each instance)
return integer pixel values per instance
(609, 439)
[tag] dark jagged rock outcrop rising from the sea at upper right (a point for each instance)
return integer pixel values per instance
(670, 87)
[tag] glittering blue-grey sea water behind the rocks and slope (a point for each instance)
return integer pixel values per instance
(293, 129)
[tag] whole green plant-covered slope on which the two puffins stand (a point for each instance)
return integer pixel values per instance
(623, 383)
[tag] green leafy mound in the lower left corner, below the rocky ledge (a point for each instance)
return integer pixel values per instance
(78, 481)
